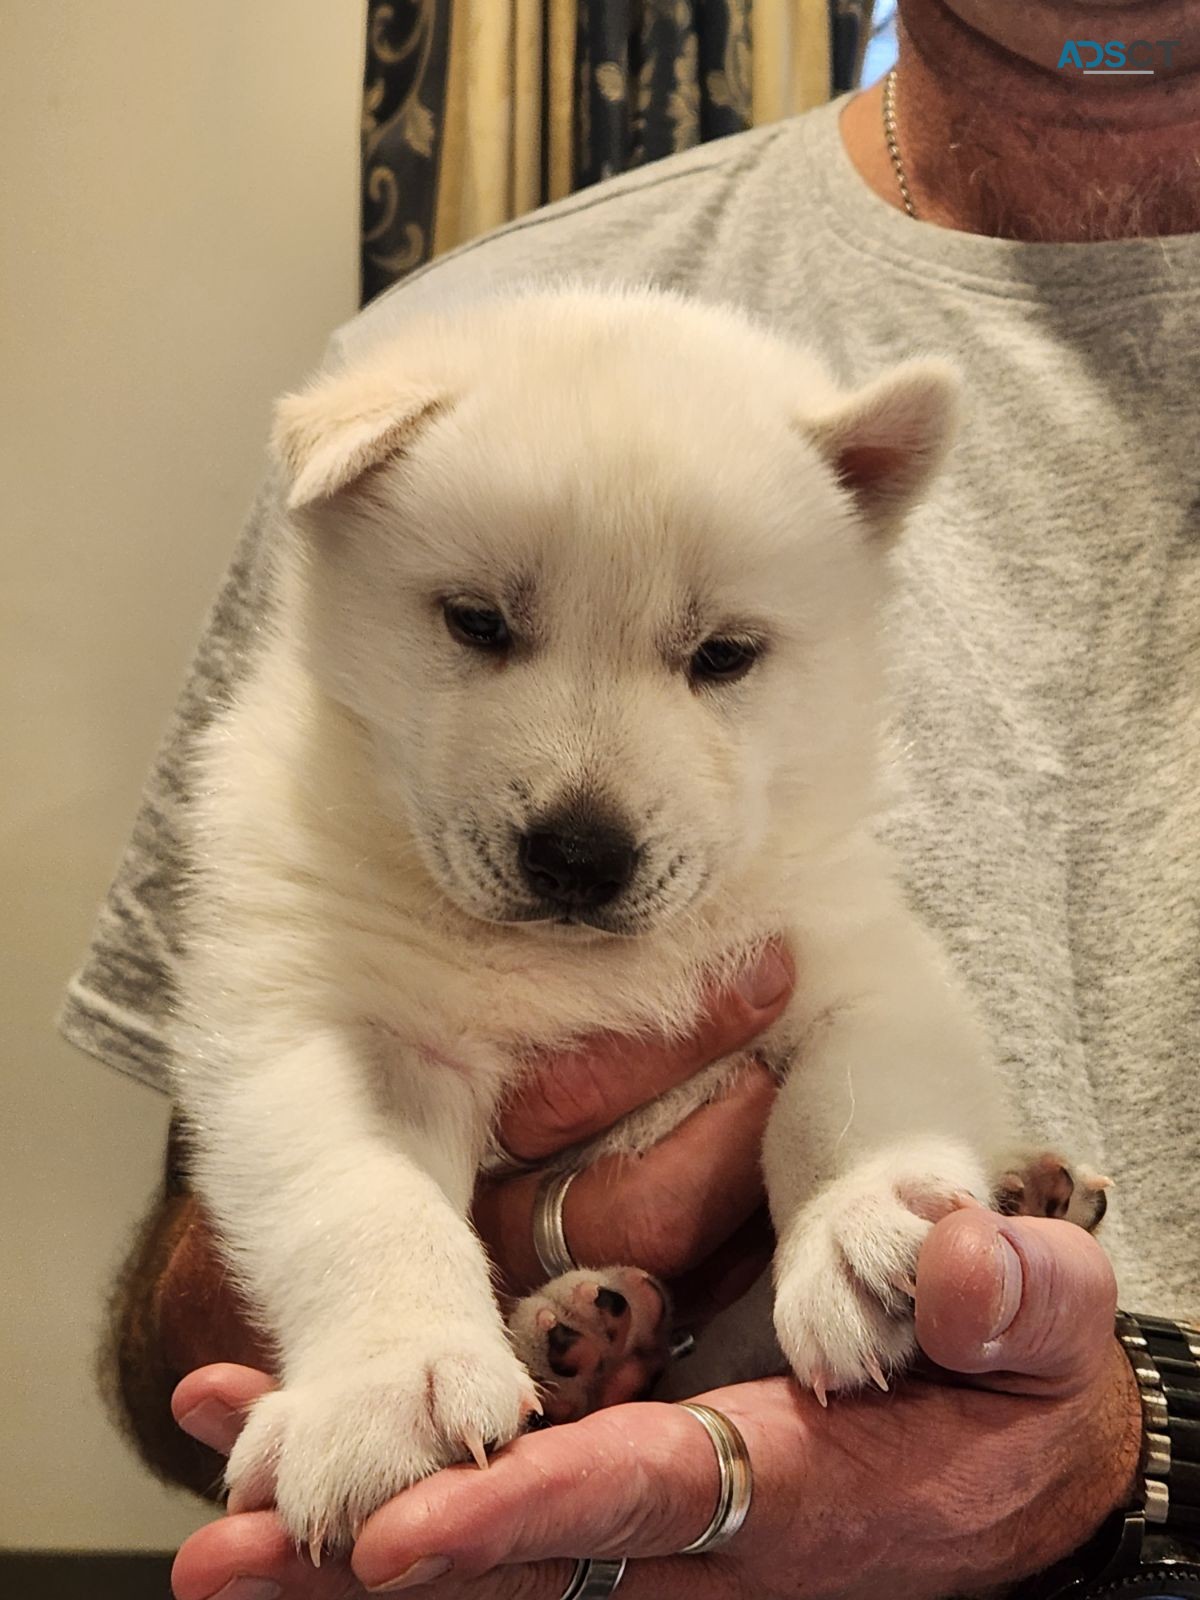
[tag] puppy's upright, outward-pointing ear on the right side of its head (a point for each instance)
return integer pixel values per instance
(887, 441)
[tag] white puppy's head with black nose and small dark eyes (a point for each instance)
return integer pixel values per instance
(599, 574)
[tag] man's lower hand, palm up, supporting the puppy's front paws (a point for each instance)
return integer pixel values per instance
(938, 1489)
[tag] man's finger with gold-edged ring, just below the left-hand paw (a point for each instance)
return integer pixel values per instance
(634, 1481)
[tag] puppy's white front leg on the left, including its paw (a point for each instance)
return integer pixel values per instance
(348, 1233)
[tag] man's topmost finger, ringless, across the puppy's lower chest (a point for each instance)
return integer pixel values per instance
(578, 1094)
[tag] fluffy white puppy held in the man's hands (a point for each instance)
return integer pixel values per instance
(570, 705)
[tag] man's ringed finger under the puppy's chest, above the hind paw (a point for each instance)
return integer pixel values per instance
(665, 1212)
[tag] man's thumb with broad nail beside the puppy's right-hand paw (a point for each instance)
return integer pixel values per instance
(1023, 1303)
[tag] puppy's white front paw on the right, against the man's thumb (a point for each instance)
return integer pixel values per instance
(846, 1271)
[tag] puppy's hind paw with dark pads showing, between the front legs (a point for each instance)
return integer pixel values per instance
(593, 1338)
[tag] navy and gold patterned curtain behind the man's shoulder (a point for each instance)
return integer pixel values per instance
(478, 111)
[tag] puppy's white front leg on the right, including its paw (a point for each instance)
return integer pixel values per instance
(881, 1129)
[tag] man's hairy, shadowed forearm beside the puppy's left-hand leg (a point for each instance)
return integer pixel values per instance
(174, 1310)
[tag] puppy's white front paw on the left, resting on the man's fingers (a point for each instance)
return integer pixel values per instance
(330, 1450)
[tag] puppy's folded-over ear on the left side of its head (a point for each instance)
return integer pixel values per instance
(332, 433)
